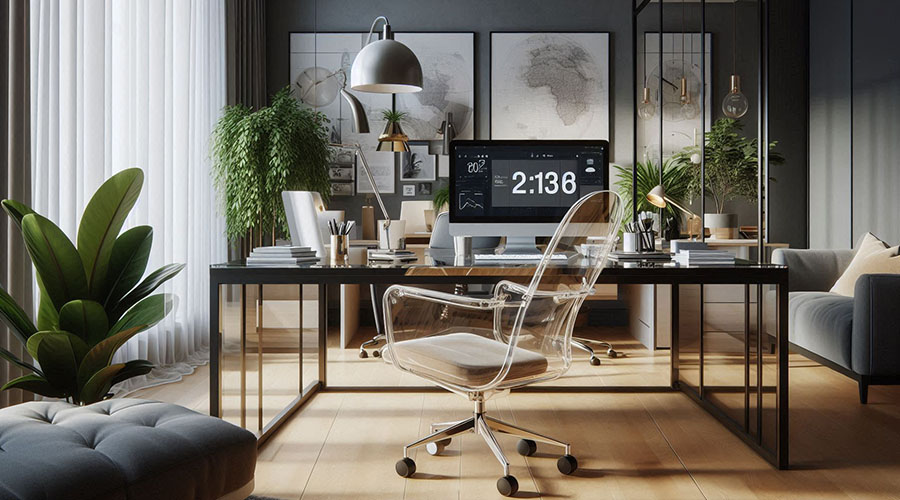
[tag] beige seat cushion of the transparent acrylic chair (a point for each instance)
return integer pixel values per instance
(467, 359)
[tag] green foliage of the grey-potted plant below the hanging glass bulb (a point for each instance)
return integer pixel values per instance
(731, 163)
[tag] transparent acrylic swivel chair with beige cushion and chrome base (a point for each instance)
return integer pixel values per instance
(478, 347)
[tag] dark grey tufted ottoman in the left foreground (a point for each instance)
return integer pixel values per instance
(121, 449)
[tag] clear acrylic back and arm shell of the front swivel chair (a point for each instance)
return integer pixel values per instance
(537, 317)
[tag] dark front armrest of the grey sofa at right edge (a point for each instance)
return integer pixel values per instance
(876, 325)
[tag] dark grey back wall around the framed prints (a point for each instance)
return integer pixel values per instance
(614, 16)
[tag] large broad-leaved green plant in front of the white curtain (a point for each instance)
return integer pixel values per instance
(92, 296)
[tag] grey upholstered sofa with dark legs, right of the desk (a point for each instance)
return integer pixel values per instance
(858, 336)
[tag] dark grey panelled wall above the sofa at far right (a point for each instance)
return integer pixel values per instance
(856, 190)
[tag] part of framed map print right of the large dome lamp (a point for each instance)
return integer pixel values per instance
(448, 71)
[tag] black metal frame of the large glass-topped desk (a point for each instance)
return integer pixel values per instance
(325, 276)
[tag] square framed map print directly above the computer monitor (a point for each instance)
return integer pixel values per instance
(549, 85)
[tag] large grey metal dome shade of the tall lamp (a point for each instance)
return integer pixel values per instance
(386, 66)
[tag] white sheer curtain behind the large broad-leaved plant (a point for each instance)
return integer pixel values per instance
(122, 83)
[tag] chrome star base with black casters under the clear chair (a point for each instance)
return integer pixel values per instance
(485, 426)
